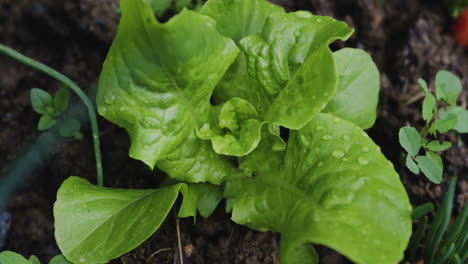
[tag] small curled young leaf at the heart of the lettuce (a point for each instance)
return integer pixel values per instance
(237, 130)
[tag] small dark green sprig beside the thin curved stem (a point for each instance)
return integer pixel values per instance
(51, 108)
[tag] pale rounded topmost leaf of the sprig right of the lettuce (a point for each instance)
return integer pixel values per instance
(448, 87)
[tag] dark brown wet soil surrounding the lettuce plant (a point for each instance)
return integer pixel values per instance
(407, 39)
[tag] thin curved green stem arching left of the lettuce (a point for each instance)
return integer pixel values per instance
(62, 78)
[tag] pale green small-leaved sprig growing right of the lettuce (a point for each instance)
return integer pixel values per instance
(441, 114)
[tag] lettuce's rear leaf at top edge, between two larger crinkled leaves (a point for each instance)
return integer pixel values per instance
(237, 19)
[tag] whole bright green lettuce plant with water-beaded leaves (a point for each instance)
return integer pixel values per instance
(244, 101)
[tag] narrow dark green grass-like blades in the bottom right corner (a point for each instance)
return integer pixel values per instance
(443, 245)
